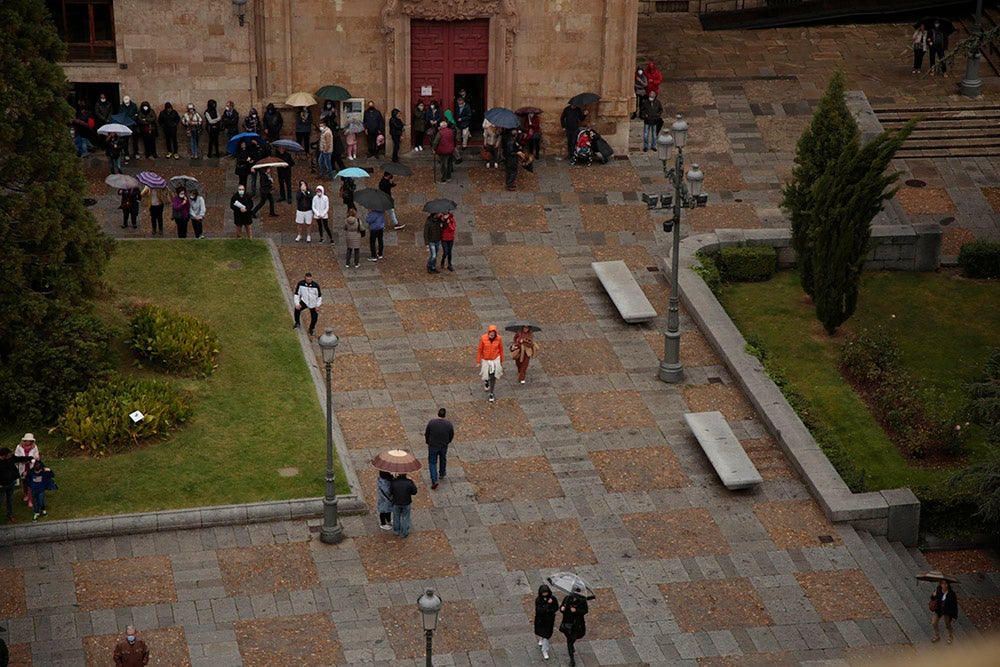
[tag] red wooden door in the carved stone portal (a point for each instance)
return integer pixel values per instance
(439, 50)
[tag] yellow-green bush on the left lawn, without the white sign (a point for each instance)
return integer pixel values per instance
(177, 342)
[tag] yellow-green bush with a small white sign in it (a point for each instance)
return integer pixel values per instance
(97, 419)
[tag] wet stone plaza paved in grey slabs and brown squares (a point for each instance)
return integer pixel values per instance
(589, 466)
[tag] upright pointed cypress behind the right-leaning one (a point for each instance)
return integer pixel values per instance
(831, 130)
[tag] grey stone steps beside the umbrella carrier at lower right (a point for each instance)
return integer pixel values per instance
(892, 567)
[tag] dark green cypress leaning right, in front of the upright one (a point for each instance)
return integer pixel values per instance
(845, 200)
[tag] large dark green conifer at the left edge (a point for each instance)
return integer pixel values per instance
(52, 252)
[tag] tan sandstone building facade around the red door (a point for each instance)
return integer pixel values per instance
(542, 52)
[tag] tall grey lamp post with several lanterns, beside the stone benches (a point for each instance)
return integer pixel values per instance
(685, 196)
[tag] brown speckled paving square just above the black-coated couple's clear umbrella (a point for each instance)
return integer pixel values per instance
(540, 544)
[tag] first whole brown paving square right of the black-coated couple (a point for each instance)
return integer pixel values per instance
(715, 604)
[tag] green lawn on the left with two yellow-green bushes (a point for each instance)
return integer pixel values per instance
(257, 413)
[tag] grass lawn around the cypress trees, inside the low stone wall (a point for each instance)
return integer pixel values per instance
(945, 326)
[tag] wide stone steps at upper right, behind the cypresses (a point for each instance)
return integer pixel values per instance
(955, 131)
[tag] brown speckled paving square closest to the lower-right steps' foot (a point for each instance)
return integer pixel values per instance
(842, 595)
